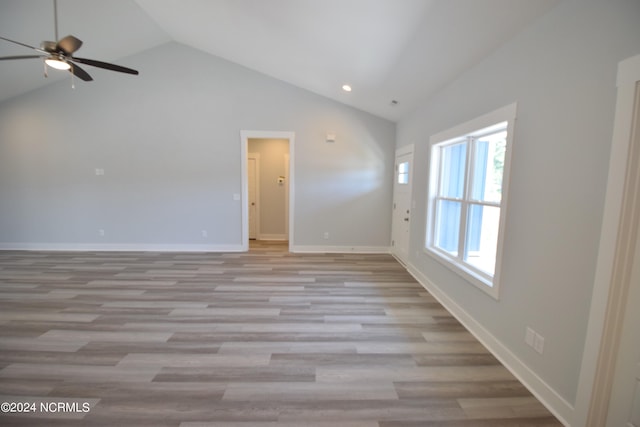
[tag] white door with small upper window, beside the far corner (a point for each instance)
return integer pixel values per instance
(401, 219)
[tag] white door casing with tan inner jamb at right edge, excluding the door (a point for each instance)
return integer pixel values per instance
(611, 282)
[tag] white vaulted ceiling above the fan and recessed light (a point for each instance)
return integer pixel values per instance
(401, 50)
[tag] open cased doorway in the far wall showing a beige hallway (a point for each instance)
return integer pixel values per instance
(267, 187)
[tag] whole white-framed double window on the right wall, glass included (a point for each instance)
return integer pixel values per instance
(469, 175)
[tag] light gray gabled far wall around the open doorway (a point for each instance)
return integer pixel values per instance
(169, 143)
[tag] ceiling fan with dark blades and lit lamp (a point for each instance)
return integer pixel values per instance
(59, 55)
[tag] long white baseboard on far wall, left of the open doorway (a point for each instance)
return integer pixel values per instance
(119, 247)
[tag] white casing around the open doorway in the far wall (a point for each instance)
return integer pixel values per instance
(245, 136)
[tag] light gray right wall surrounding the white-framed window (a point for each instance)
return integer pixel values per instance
(562, 74)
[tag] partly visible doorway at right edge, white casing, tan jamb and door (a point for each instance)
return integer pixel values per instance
(616, 277)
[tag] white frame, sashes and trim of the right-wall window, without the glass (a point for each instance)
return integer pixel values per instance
(473, 128)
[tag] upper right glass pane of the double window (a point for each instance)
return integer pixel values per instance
(486, 182)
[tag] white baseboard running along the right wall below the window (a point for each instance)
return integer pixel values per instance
(562, 409)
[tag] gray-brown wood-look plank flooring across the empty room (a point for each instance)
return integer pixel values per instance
(258, 339)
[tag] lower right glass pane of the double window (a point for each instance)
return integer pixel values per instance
(482, 237)
